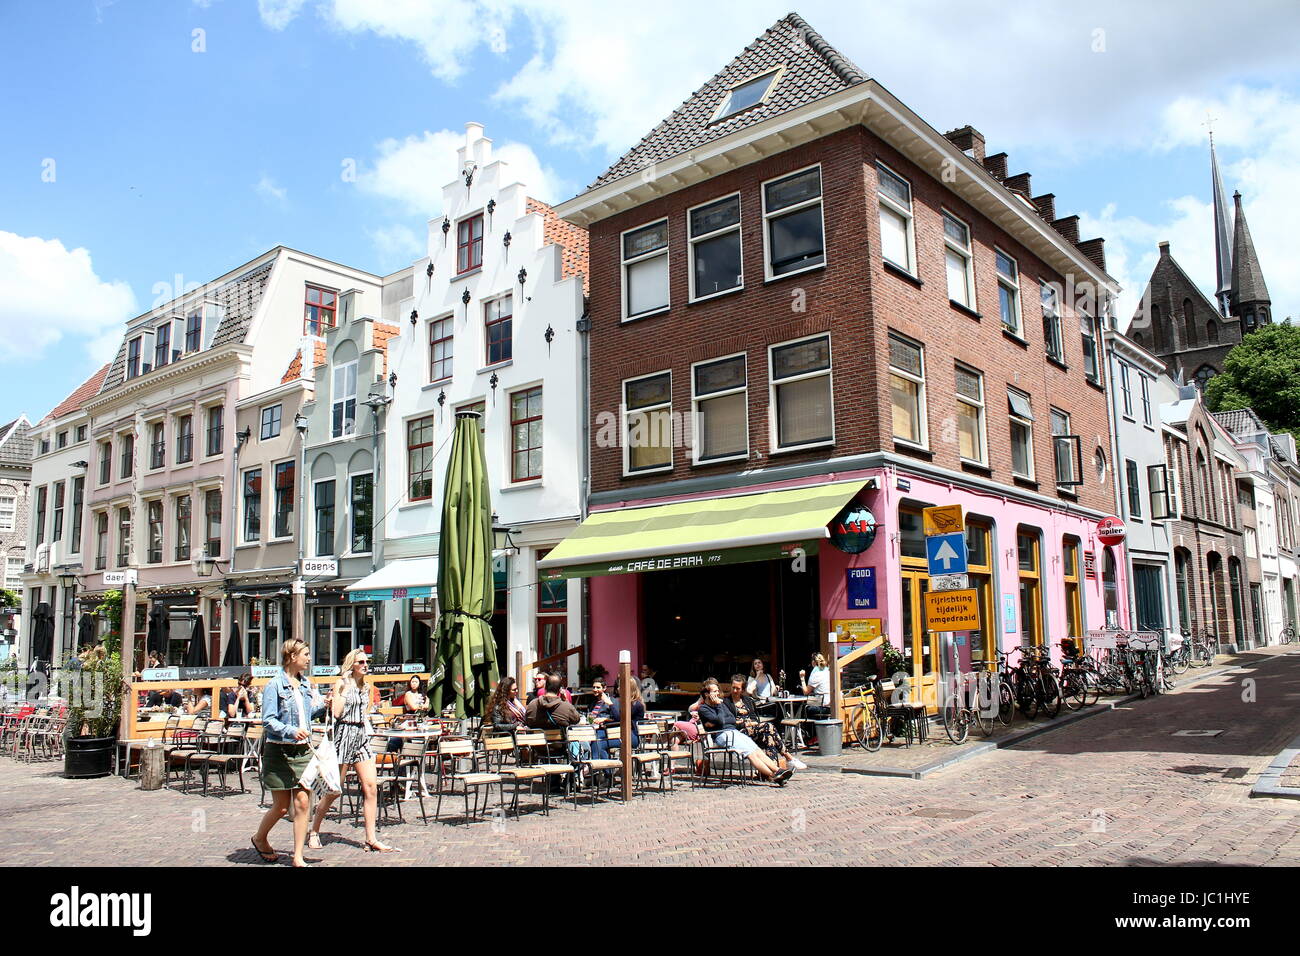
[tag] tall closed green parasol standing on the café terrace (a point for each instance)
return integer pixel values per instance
(466, 669)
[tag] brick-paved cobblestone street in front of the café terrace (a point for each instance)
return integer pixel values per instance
(1119, 789)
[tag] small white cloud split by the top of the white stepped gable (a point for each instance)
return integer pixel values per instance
(413, 171)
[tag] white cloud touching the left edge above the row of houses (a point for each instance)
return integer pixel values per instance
(51, 295)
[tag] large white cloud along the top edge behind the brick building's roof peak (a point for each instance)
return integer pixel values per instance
(1081, 79)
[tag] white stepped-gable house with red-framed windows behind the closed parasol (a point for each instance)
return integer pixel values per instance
(493, 326)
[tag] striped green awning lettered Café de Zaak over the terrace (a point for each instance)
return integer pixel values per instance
(703, 533)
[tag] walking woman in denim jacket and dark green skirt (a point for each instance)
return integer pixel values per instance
(285, 702)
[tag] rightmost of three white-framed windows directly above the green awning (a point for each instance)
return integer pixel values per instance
(801, 396)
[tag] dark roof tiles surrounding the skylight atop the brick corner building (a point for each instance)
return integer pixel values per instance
(813, 71)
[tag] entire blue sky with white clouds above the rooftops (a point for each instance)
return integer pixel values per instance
(137, 150)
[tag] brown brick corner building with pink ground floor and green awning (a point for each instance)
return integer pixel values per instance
(807, 304)
